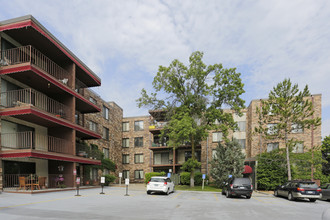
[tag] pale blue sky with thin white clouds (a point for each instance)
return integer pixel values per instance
(124, 42)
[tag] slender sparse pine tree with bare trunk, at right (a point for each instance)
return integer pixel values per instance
(288, 109)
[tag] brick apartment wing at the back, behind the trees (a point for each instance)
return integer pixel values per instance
(164, 158)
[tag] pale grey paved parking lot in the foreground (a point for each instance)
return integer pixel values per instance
(138, 205)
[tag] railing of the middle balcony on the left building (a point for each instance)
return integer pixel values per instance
(30, 96)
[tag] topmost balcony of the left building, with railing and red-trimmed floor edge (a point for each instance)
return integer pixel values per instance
(26, 64)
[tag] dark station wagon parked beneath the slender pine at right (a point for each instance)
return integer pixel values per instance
(299, 189)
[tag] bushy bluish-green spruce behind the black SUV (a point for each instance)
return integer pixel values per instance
(228, 160)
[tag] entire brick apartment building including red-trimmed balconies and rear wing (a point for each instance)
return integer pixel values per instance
(48, 111)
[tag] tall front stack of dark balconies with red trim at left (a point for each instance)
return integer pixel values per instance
(41, 97)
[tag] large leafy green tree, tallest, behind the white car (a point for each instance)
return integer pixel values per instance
(194, 98)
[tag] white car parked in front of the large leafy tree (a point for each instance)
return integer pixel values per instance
(160, 184)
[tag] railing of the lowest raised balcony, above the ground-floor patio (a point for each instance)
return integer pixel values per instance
(30, 140)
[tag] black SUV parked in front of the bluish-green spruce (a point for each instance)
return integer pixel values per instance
(238, 187)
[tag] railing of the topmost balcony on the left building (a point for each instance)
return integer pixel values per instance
(28, 54)
